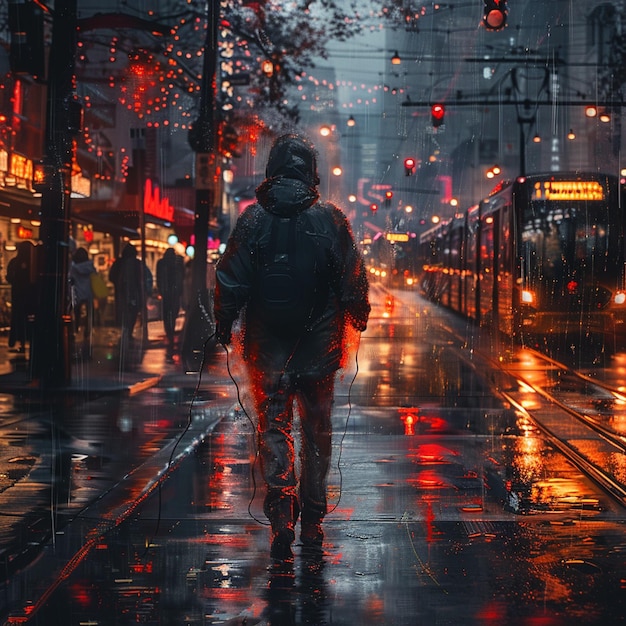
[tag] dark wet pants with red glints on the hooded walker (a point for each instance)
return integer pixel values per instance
(274, 396)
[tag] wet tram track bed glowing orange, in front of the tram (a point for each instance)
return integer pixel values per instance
(584, 418)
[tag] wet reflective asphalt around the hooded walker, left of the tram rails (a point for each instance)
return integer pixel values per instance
(147, 526)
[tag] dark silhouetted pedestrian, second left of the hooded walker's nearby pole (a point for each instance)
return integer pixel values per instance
(132, 281)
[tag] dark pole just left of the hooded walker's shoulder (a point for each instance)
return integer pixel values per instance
(203, 141)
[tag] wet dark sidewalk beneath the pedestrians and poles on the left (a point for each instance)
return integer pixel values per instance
(50, 440)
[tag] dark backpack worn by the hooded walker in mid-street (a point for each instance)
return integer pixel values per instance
(289, 291)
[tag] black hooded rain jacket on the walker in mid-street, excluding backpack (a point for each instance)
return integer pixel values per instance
(290, 190)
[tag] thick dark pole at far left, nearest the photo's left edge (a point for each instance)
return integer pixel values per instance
(50, 349)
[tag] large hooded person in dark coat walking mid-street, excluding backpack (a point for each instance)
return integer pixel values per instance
(286, 365)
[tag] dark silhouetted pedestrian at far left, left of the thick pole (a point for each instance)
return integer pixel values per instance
(20, 277)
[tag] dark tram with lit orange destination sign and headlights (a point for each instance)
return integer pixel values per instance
(541, 255)
